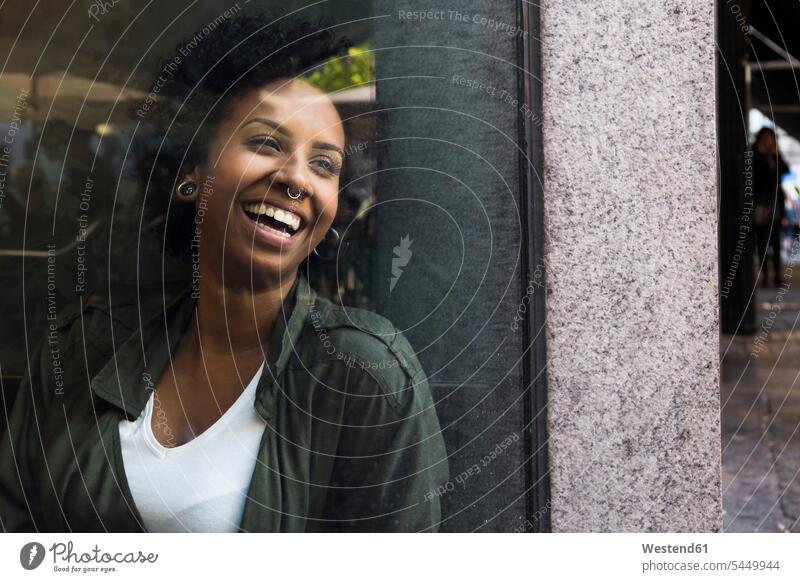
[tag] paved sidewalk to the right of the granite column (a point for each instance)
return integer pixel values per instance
(760, 392)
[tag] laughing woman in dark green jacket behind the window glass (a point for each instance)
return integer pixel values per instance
(244, 402)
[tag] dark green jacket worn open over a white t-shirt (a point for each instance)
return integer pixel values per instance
(352, 440)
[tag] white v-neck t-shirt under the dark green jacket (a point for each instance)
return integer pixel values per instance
(200, 486)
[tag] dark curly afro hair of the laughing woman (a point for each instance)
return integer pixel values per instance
(192, 89)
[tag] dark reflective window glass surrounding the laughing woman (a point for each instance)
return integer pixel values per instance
(431, 230)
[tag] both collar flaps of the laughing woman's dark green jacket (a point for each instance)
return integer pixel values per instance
(129, 376)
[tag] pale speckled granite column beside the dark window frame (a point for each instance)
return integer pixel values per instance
(630, 194)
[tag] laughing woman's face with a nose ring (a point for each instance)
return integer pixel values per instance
(286, 134)
